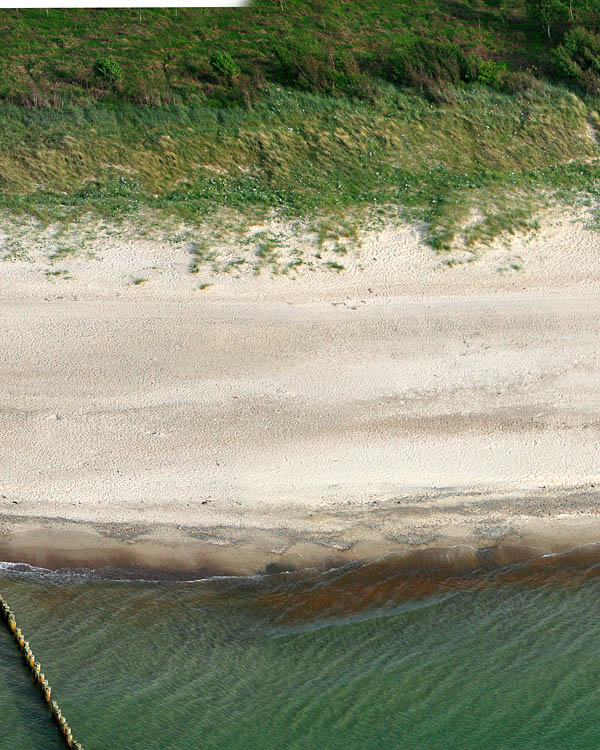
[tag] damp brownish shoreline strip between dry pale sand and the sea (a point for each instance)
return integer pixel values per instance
(537, 523)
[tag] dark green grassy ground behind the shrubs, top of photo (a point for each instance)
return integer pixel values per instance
(163, 56)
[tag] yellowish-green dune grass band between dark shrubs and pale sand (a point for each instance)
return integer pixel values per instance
(497, 155)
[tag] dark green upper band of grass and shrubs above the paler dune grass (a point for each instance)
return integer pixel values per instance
(344, 47)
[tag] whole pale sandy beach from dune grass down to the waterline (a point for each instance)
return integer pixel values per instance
(276, 419)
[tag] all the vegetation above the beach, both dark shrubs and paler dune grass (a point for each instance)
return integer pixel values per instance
(439, 106)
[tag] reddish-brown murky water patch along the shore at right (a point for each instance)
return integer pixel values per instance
(362, 587)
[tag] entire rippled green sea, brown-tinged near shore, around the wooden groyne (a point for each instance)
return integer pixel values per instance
(272, 663)
